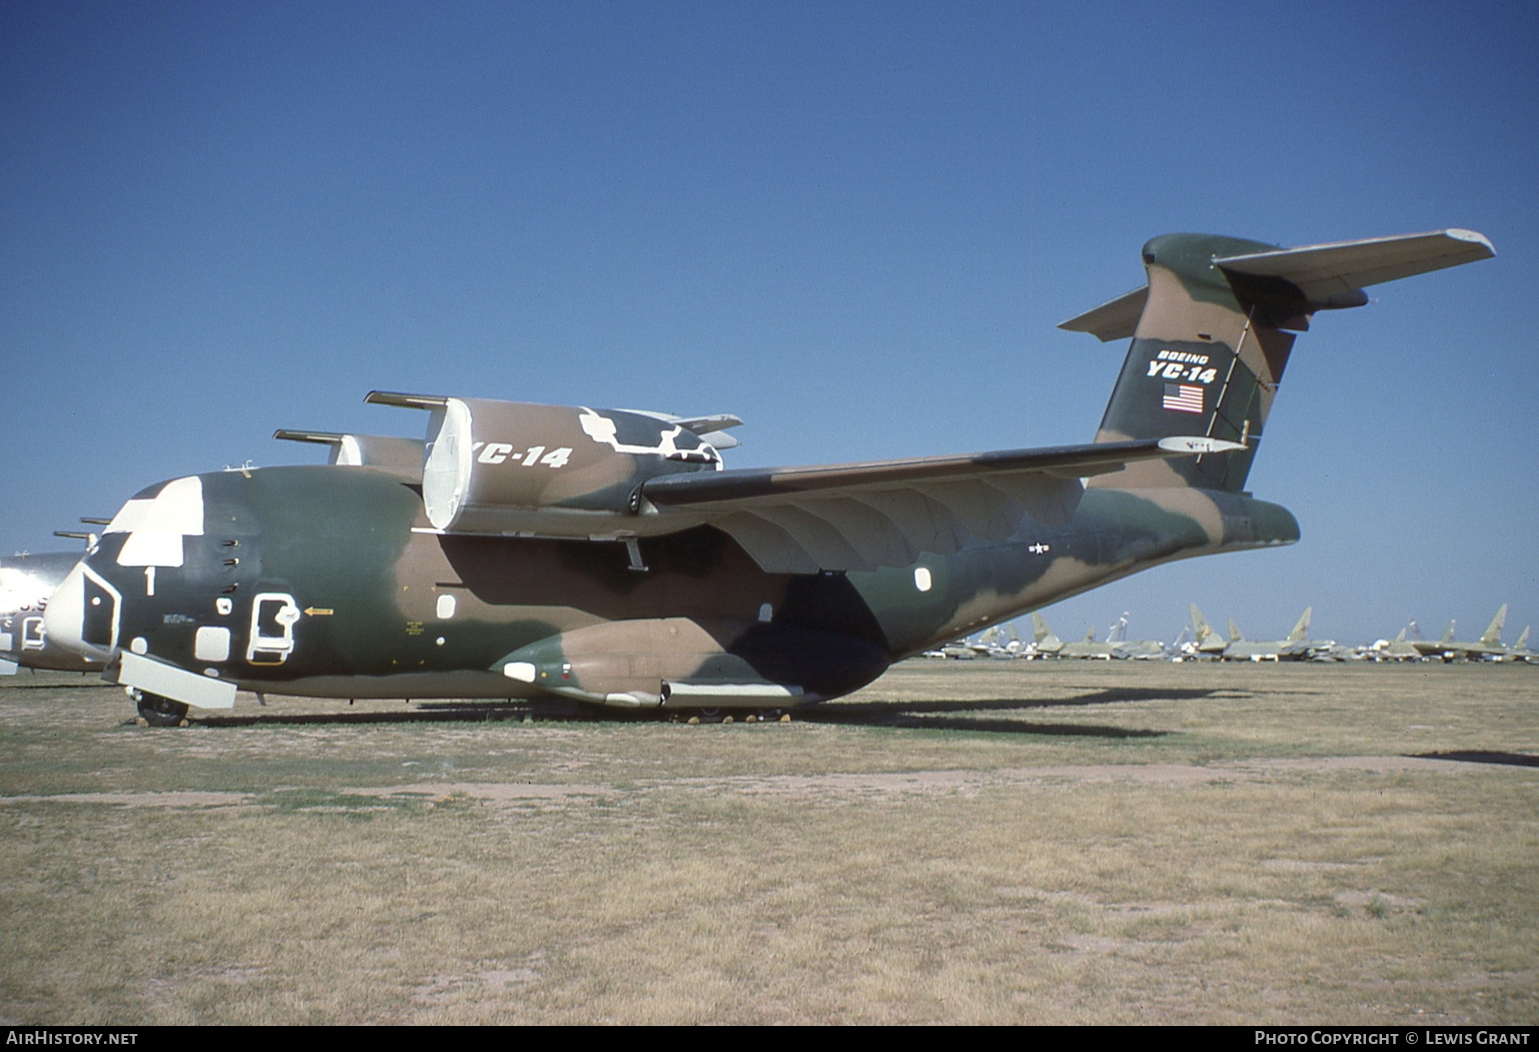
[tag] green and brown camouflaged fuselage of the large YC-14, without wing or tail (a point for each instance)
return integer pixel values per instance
(379, 605)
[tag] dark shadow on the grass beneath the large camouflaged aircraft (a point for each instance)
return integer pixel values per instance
(927, 716)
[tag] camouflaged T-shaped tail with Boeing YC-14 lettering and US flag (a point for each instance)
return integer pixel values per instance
(1212, 333)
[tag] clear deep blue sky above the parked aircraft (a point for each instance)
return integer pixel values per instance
(855, 225)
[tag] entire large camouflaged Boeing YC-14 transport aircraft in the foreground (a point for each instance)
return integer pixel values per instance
(609, 556)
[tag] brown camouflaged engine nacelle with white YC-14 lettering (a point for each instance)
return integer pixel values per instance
(546, 471)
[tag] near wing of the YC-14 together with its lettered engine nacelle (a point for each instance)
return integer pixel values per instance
(506, 468)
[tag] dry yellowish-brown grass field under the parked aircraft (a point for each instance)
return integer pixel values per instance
(963, 842)
